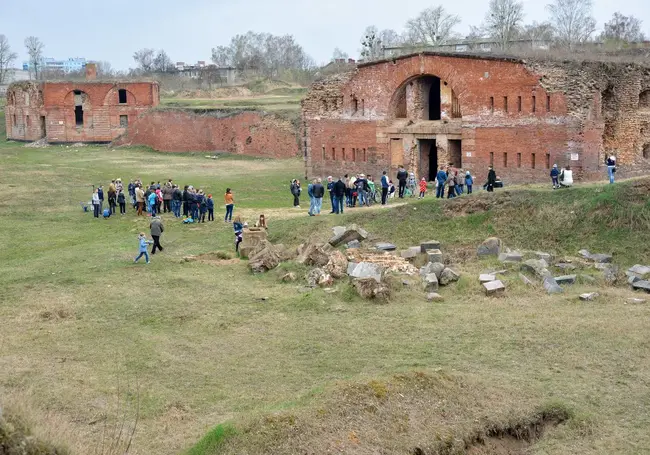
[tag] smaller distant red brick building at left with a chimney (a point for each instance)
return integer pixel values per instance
(86, 111)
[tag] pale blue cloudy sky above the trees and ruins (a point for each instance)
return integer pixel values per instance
(187, 30)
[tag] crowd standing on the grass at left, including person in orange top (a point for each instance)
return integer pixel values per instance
(190, 203)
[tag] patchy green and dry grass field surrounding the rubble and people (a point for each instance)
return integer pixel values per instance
(86, 335)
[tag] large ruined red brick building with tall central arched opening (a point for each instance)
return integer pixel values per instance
(429, 109)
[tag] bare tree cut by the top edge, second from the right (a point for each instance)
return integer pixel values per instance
(572, 20)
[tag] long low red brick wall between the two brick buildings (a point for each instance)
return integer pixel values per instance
(247, 133)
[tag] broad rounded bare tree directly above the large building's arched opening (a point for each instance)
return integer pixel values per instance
(432, 26)
